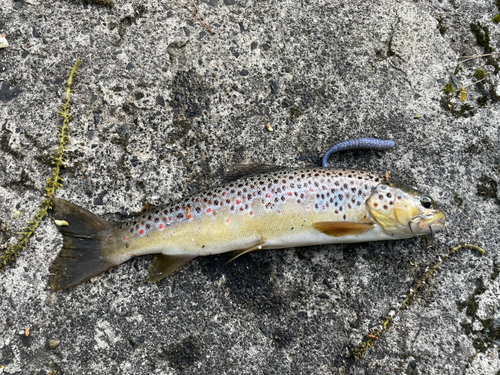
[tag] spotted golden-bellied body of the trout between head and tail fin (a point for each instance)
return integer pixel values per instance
(270, 207)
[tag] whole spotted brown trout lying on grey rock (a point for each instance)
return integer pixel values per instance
(258, 207)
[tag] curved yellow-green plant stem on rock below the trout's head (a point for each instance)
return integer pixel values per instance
(374, 334)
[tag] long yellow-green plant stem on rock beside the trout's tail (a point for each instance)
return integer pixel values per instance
(53, 183)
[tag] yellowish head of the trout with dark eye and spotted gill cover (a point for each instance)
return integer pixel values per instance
(403, 211)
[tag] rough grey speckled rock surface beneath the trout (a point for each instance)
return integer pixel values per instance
(161, 109)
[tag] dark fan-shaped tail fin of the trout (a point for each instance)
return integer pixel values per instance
(83, 253)
